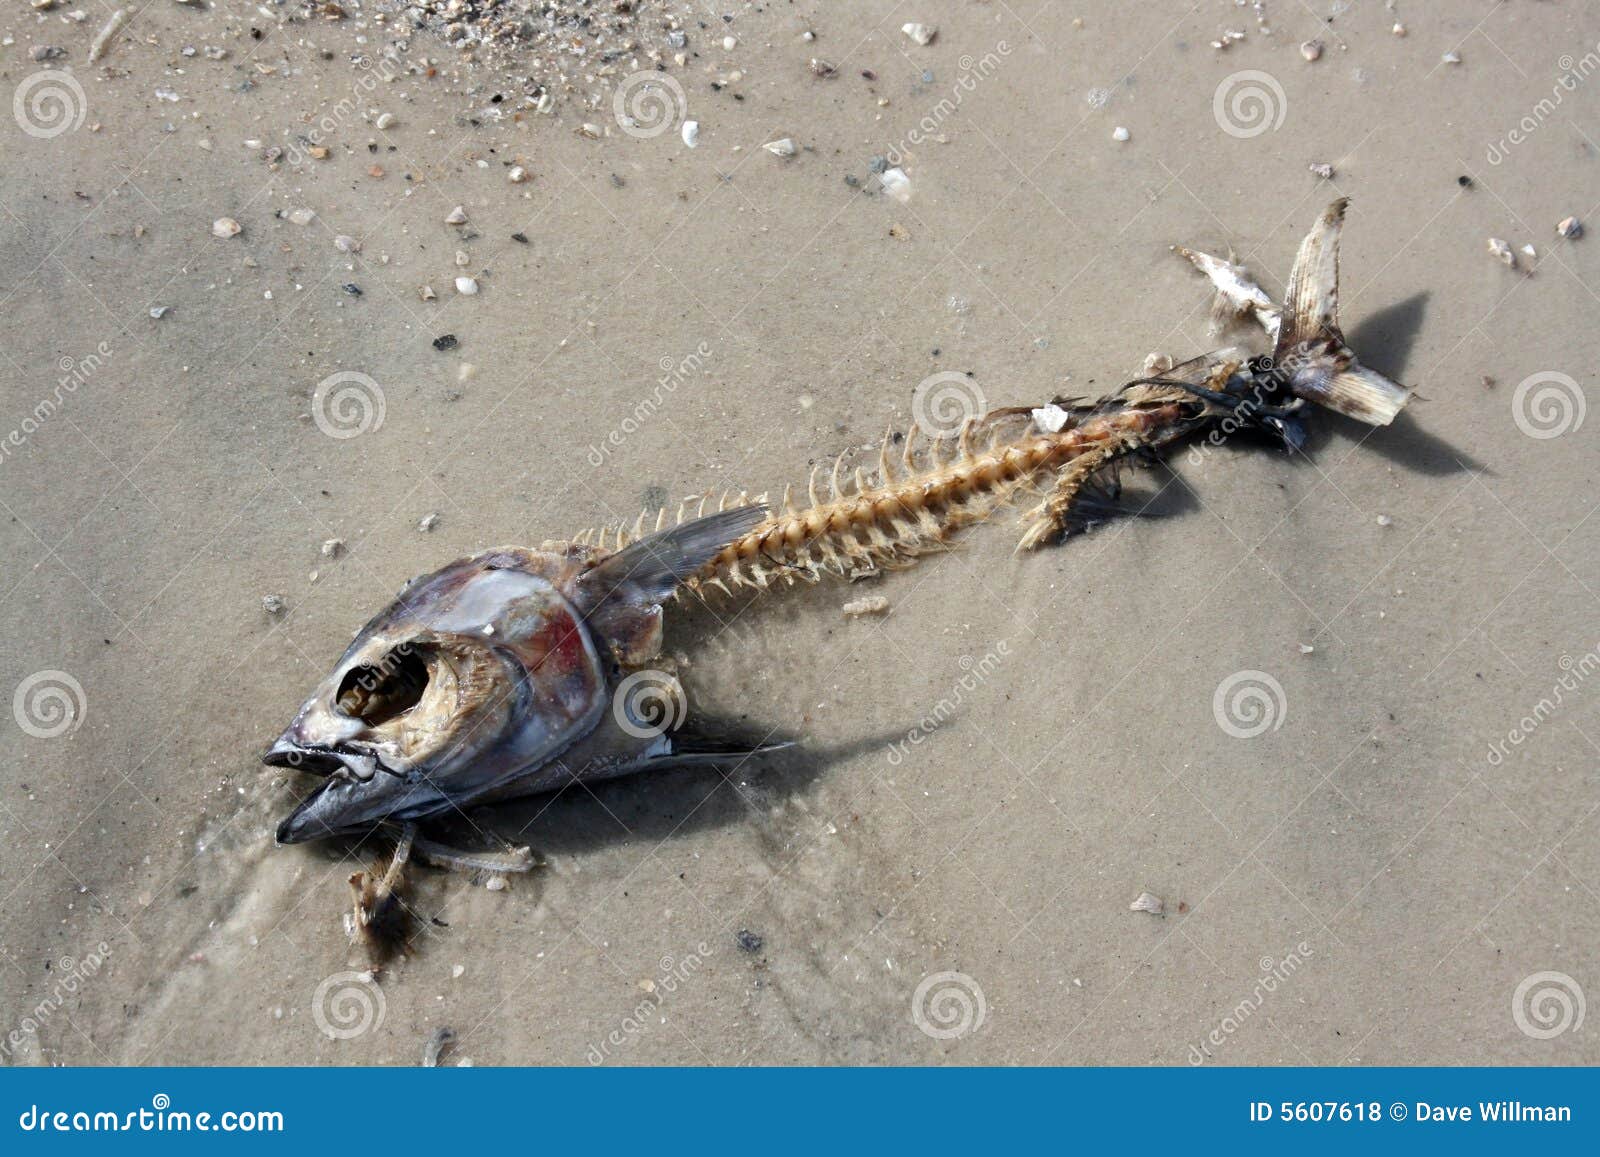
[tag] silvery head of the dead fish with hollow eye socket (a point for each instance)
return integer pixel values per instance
(471, 676)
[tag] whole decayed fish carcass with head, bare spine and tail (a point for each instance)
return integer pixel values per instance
(521, 671)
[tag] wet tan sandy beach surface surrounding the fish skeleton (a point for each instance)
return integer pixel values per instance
(1337, 716)
